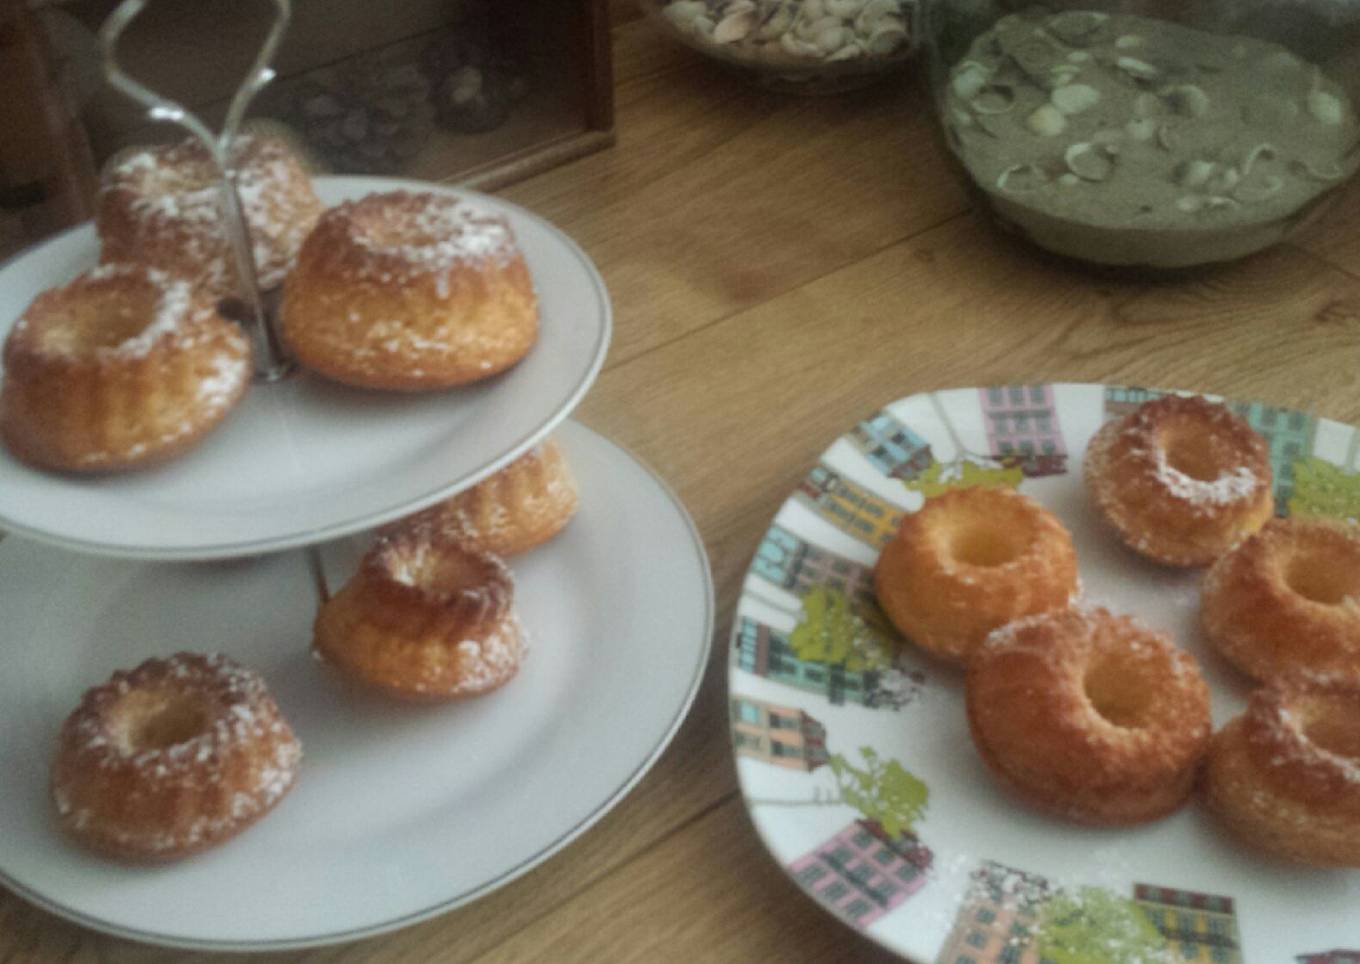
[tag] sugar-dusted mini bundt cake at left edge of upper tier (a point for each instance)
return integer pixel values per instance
(122, 368)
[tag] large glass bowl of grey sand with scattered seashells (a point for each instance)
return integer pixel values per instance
(1159, 134)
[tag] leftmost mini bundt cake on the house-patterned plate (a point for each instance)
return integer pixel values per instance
(970, 561)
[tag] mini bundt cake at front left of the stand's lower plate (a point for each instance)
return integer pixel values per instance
(172, 758)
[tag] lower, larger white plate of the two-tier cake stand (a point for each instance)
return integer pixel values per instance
(401, 812)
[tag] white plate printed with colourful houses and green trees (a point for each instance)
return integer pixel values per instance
(853, 751)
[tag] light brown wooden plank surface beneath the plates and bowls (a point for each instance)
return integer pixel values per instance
(780, 270)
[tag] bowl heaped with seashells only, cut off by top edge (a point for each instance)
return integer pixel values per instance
(811, 47)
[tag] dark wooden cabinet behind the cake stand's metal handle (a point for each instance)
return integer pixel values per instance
(477, 92)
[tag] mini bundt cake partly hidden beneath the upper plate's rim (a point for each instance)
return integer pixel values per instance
(523, 506)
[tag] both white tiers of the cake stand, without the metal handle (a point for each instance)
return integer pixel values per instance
(401, 812)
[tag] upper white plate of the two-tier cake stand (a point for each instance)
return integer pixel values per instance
(308, 460)
